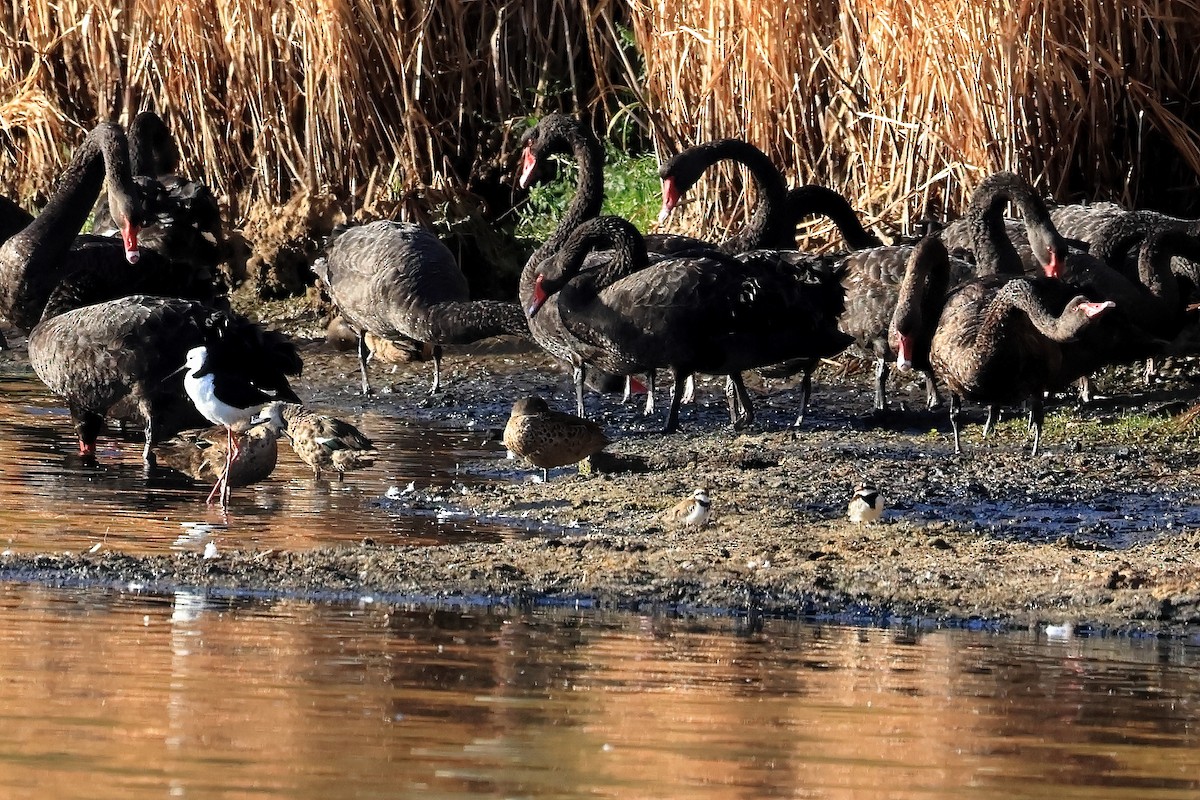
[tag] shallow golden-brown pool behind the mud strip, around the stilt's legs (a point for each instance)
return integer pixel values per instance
(51, 502)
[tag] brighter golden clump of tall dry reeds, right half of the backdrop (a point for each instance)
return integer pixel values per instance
(905, 105)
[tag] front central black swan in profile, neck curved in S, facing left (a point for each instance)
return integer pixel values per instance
(711, 315)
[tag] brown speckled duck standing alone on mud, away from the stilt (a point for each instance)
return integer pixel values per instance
(549, 438)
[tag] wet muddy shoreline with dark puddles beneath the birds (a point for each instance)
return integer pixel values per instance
(1101, 531)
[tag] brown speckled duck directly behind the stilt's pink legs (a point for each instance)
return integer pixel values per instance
(201, 455)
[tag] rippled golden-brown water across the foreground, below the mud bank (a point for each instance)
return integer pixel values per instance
(128, 696)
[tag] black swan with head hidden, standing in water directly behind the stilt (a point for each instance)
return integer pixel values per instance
(116, 360)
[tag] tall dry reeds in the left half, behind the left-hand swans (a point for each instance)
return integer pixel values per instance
(367, 101)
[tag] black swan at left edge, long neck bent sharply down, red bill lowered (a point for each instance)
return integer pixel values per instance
(46, 266)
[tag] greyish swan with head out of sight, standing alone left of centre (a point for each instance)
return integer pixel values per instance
(398, 281)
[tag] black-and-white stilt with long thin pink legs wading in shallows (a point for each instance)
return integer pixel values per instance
(225, 399)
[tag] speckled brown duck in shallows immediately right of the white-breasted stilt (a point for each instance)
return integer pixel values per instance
(320, 441)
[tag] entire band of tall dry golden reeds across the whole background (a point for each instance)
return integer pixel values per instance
(395, 107)
